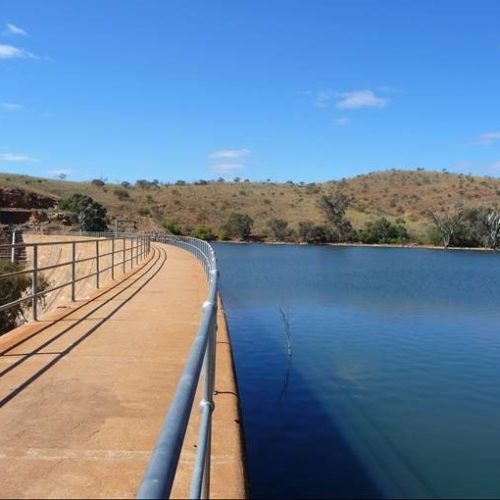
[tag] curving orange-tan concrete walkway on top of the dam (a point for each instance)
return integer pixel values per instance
(84, 391)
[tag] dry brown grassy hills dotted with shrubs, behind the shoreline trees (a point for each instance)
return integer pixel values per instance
(408, 195)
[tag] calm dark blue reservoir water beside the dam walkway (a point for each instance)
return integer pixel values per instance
(393, 385)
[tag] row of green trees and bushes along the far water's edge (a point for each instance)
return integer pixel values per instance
(451, 227)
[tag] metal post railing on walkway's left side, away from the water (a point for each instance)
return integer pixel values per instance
(129, 248)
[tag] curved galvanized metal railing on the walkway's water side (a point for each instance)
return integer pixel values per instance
(159, 477)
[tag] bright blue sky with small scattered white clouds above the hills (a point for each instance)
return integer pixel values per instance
(301, 90)
